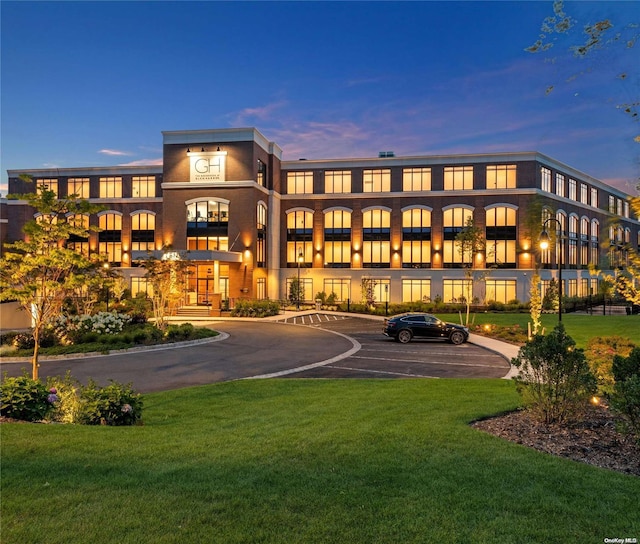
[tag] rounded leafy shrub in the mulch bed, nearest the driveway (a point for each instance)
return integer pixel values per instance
(554, 378)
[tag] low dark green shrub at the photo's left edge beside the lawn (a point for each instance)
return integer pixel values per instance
(26, 399)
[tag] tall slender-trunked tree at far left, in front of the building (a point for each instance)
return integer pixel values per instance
(40, 272)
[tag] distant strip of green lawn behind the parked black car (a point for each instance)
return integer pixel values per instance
(579, 326)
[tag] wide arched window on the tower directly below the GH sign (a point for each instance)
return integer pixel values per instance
(208, 225)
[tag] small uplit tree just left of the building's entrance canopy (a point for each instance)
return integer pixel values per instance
(167, 277)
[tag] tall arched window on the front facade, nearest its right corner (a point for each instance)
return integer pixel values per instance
(501, 237)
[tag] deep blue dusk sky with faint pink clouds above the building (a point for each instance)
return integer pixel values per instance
(95, 83)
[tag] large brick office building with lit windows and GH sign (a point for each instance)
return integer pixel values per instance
(249, 222)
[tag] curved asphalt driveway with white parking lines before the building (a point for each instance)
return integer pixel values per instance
(316, 346)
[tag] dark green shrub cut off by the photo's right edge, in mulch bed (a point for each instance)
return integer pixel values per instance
(626, 392)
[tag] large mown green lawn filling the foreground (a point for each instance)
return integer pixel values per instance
(305, 461)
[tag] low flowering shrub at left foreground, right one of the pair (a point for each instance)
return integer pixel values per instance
(115, 404)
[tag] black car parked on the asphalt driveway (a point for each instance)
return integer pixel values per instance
(404, 327)
